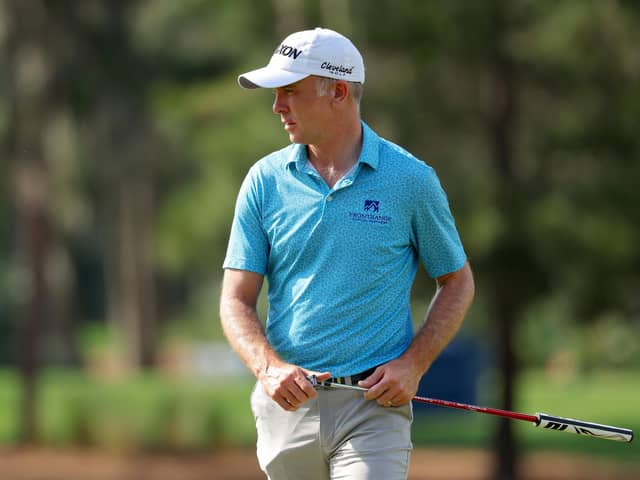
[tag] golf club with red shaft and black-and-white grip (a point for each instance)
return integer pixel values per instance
(543, 420)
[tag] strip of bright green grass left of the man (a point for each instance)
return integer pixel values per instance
(149, 412)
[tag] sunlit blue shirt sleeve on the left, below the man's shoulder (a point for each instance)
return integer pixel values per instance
(248, 247)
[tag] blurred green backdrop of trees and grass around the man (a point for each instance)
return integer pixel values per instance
(124, 139)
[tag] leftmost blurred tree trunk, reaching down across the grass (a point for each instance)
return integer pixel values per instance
(29, 89)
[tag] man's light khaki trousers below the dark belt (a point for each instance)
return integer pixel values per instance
(338, 435)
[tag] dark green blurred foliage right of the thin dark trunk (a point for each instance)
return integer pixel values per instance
(582, 73)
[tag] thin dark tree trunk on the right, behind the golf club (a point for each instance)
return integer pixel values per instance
(507, 254)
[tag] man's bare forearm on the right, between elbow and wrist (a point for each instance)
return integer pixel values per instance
(444, 318)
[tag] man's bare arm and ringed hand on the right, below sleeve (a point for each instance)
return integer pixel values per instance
(397, 381)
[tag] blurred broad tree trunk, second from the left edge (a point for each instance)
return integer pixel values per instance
(126, 161)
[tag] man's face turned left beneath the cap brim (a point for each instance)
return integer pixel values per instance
(303, 113)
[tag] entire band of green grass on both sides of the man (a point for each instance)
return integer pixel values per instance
(152, 412)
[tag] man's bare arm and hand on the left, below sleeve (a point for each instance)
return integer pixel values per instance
(283, 382)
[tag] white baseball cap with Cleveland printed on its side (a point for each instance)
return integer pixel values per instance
(320, 52)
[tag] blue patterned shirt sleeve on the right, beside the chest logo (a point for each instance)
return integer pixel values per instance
(435, 235)
